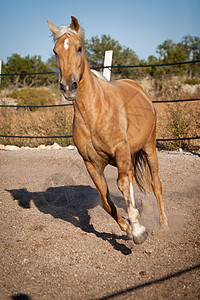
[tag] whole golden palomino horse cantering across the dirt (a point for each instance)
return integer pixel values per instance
(114, 123)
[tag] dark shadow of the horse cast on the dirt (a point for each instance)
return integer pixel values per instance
(71, 204)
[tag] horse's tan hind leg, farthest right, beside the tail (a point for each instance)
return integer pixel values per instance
(152, 158)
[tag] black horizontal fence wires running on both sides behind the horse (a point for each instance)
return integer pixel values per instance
(102, 67)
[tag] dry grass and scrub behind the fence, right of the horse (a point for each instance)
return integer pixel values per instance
(178, 120)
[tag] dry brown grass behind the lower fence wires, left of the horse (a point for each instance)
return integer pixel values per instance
(43, 122)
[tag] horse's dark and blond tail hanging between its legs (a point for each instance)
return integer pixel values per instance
(142, 170)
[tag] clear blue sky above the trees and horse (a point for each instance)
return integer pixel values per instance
(141, 25)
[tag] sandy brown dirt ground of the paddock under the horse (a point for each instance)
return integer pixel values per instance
(57, 242)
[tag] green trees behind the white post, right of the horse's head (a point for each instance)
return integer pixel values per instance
(168, 52)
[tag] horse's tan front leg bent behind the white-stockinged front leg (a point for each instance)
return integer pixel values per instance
(99, 180)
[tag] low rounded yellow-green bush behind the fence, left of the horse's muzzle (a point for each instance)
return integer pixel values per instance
(33, 96)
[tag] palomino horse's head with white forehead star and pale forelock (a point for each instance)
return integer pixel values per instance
(69, 55)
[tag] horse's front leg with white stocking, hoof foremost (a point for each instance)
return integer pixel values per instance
(125, 185)
